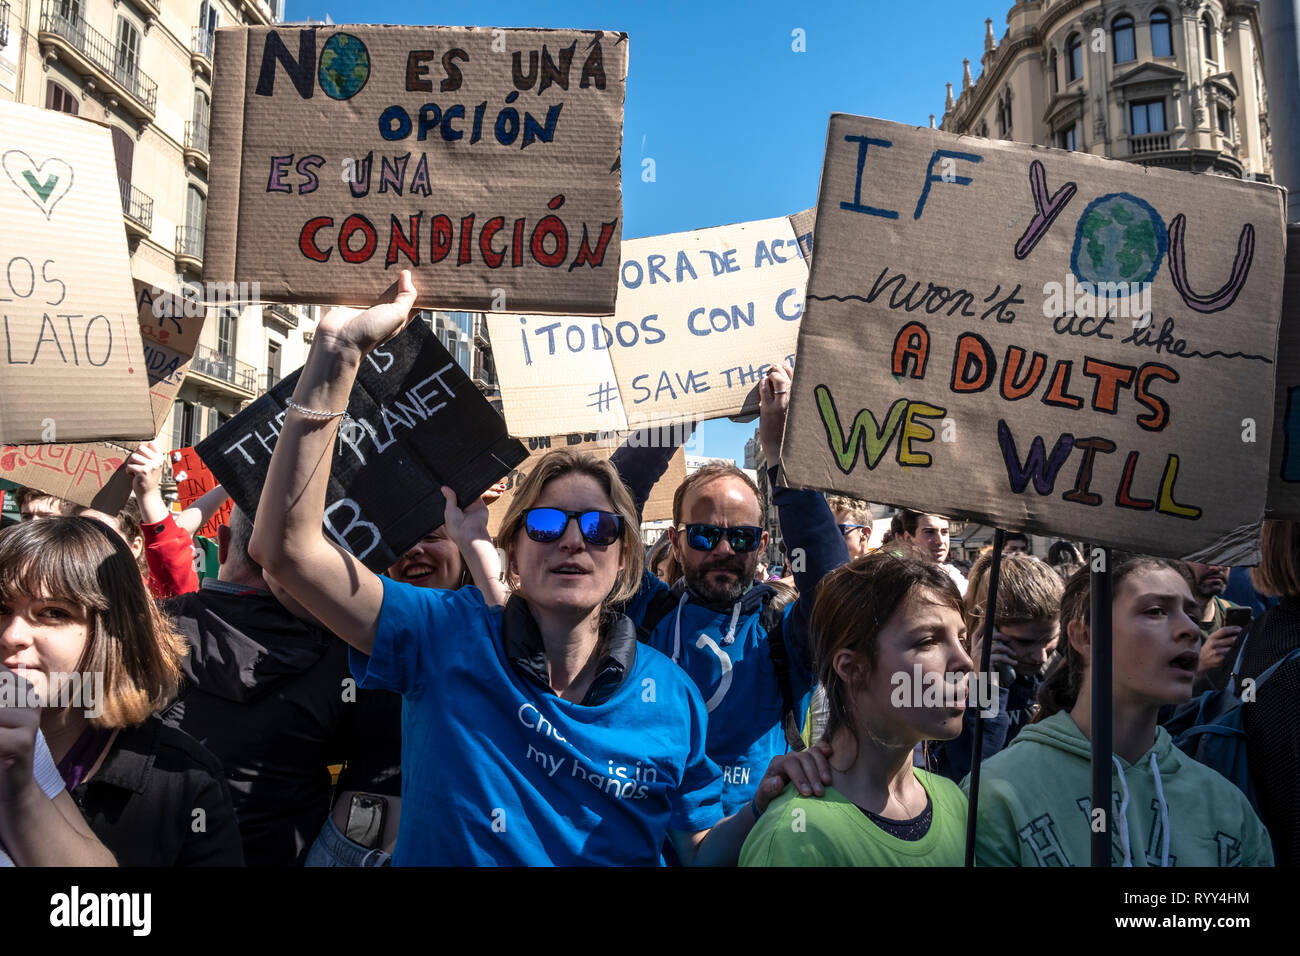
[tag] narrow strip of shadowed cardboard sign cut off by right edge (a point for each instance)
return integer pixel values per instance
(1285, 466)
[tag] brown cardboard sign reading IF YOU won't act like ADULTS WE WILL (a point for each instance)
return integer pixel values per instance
(1041, 340)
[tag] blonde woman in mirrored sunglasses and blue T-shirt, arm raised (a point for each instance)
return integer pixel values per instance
(539, 733)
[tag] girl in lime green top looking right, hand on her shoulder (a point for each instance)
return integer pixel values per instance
(890, 642)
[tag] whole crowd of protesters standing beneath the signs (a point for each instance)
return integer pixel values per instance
(579, 699)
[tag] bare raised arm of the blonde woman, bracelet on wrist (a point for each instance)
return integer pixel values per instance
(288, 540)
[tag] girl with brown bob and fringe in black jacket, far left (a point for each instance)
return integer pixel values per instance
(77, 624)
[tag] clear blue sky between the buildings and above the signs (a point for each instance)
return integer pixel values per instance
(733, 116)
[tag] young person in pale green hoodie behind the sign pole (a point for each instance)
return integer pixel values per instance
(1035, 797)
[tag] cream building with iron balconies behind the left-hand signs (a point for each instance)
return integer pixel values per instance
(144, 68)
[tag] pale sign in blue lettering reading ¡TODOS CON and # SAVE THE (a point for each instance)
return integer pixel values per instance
(700, 317)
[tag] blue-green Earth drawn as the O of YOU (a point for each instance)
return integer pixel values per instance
(1120, 239)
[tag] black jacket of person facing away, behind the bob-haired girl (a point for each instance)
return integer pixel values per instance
(272, 698)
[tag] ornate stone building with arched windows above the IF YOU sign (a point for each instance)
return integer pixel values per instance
(1175, 84)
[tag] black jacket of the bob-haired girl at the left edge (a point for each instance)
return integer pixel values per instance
(159, 799)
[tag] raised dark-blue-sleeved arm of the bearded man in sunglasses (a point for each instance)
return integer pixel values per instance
(813, 542)
